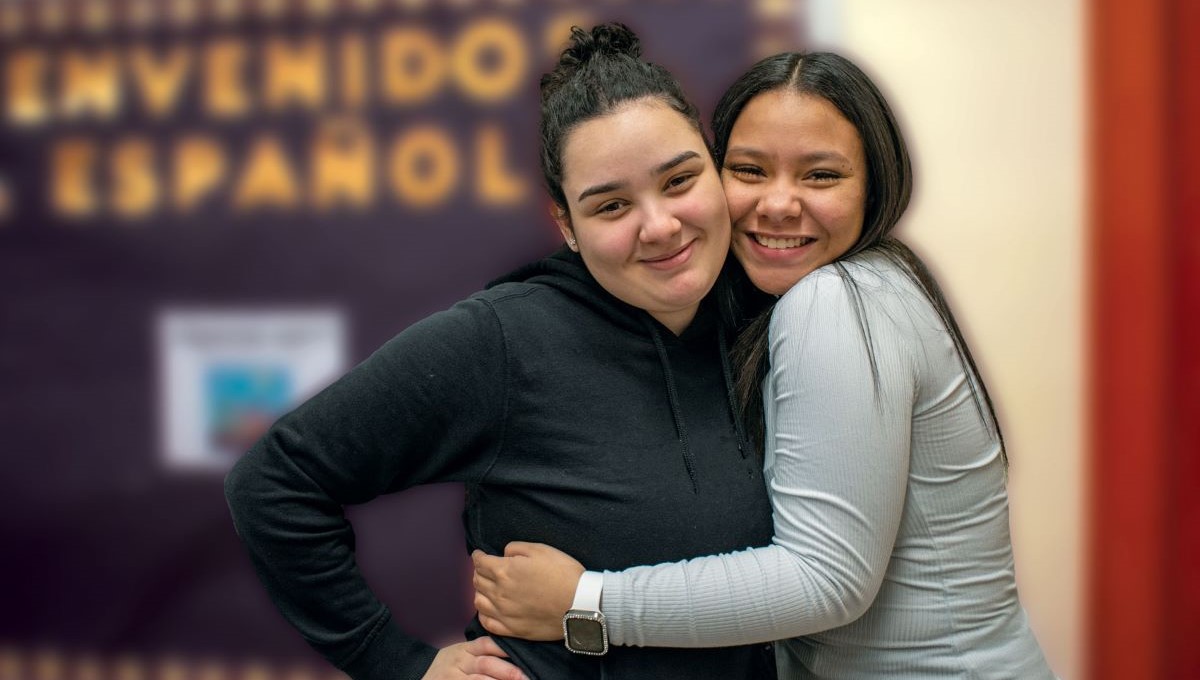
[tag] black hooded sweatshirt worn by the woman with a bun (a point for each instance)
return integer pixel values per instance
(575, 420)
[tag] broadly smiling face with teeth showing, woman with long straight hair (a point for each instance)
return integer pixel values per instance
(795, 177)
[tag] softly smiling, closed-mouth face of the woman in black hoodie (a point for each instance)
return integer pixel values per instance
(646, 209)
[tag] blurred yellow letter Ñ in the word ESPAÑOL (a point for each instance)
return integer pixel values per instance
(344, 165)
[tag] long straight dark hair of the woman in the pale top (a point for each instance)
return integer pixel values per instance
(843, 85)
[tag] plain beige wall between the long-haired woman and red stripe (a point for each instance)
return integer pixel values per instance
(991, 95)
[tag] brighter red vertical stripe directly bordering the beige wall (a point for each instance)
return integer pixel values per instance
(1130, 246)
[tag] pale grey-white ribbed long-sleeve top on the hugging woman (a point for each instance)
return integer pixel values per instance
(892, 555)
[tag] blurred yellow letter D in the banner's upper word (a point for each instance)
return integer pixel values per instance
(413, 65)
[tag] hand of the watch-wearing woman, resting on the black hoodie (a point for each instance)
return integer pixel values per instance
(526, 593)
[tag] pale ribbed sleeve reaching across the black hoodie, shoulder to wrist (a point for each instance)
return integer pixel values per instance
(837, 466)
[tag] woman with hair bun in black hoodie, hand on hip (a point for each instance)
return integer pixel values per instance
(586, 401)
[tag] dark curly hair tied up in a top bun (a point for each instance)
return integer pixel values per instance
(599, 71)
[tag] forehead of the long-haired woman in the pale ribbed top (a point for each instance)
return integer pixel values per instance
(785, 119)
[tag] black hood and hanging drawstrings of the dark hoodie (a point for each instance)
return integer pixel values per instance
(566, 272)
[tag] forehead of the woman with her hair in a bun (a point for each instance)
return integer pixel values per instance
(627, 142)
